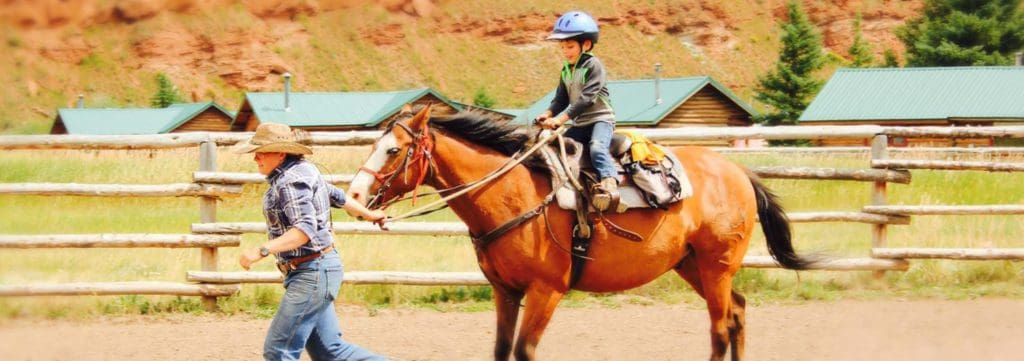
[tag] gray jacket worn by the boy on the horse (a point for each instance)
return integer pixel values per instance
(583, 93)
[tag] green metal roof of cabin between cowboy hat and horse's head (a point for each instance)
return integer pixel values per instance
(335, 109)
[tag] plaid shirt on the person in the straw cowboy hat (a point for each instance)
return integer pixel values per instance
(300, 198)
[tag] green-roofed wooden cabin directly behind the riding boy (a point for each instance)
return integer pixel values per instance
(669, 103)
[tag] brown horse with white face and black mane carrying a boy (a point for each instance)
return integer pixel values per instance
(703, 239)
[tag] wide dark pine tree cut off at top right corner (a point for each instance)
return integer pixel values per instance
(953, 33)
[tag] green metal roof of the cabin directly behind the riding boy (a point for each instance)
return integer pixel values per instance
(634, 103)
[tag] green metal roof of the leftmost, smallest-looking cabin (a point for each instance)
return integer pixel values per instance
(133, 120)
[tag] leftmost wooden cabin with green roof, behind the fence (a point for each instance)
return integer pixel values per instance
(203, 117)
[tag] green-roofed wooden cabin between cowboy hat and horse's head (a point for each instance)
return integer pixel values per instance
(335, 111)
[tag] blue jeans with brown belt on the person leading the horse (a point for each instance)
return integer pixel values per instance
(307, 320)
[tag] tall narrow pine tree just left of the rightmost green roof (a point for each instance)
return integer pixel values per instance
(788, 88)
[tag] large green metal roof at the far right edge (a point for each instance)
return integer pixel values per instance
(920, 94)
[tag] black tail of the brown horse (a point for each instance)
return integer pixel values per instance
(777, 229)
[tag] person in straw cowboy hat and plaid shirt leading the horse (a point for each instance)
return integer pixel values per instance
(297, 207)
